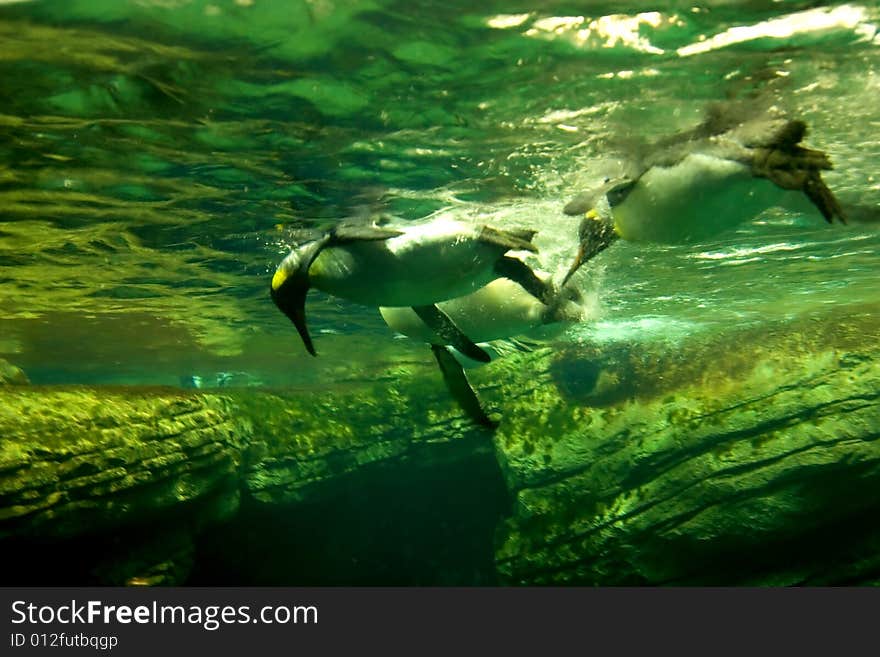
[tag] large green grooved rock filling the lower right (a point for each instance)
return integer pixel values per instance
(752, 459)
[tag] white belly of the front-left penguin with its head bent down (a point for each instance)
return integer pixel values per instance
(427, 264)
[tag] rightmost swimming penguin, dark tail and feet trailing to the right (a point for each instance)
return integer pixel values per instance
(698, 183)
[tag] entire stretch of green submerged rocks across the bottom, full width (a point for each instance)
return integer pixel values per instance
(751, 459)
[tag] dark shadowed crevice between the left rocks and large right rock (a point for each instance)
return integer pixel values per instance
(407, 521)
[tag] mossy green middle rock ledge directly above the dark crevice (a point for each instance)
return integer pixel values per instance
(308, 444)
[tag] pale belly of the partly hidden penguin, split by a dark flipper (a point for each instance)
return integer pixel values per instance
(501, 309)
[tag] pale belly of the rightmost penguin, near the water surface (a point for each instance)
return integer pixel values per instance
(697, 198)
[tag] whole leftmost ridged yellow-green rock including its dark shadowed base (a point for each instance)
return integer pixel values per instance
(111, 483)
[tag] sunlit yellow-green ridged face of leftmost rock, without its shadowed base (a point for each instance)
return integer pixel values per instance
(83, 460)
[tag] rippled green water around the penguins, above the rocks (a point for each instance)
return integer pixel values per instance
(154, 157)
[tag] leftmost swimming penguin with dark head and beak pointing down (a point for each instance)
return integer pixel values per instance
(414, 266)
